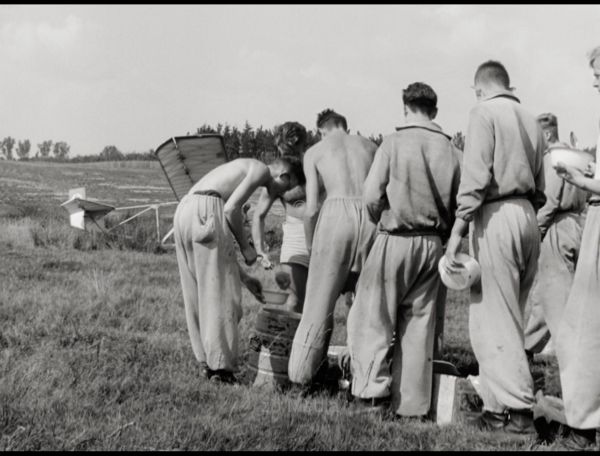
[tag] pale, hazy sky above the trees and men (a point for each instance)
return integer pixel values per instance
(135, 75)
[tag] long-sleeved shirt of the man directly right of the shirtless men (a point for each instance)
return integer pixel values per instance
(413, 181)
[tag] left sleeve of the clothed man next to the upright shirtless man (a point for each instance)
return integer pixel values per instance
(374, 195)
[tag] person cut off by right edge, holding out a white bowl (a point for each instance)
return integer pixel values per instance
(578, 340)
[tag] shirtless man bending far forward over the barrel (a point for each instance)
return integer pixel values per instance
(204, 222)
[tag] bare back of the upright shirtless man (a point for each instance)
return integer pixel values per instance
(343, 162)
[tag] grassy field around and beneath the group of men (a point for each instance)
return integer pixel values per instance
(94, 351)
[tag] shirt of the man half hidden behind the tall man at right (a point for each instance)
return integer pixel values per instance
(560, 196)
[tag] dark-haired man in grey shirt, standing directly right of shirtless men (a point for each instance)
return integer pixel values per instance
(411, 193)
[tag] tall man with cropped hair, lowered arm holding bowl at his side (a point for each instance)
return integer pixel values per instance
(501, 188)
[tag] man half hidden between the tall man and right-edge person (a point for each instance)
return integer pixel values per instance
(561, 224)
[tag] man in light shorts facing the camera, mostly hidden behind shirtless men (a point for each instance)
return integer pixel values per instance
(290, 139)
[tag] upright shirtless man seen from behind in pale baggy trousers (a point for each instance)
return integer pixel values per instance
(338, 237)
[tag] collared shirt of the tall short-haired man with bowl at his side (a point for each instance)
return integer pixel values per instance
(503, 155)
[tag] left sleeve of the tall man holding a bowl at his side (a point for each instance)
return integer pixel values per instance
(478, 160)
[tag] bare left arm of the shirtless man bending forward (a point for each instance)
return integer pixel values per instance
(255, 177)
